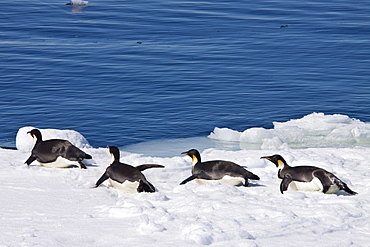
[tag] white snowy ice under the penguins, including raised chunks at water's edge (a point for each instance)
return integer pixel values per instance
(60, 207)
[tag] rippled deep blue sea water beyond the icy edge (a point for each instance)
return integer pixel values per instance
(127, 72)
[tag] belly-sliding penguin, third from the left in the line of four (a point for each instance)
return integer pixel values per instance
(225, 172)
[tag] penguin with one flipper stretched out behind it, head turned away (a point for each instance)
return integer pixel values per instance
(125, 177)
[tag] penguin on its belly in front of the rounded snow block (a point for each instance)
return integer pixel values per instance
(55, 152)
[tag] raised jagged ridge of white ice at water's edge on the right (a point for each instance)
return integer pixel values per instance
(314, 130)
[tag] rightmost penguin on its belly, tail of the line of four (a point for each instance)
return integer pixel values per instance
(307, 178)
